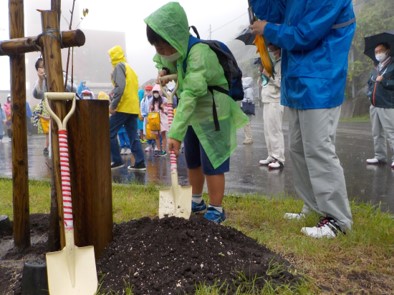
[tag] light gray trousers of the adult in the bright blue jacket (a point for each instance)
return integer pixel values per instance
(317, 173)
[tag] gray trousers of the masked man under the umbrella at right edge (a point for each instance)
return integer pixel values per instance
(382, 121)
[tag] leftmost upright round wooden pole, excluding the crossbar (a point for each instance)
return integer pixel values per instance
(20, 192)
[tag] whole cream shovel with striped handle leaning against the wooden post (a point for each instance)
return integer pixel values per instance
(73, 269)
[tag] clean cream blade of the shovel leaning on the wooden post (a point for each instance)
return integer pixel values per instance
(72, 271)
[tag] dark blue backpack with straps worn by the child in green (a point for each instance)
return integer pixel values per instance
(230, 67)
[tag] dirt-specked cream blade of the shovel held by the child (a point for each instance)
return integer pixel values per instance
(175, 201)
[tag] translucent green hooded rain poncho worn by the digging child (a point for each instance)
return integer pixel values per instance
(195, 103)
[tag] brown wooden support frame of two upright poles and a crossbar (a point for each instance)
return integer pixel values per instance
(53, 40)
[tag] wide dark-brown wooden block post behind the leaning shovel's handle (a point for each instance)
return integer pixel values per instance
(90, 163)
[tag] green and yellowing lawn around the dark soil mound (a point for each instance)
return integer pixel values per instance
(360, 262)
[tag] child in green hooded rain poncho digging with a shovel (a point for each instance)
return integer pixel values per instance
(207, 151)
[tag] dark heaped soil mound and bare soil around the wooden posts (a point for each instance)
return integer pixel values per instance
(160, 256)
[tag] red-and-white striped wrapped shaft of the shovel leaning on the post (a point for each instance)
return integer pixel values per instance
(65, 180)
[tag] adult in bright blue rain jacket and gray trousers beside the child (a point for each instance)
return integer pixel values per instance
(315, 37)
